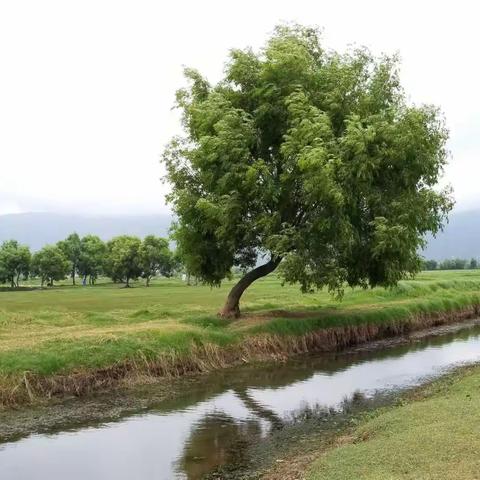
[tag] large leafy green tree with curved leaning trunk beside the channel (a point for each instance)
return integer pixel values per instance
(308, 159)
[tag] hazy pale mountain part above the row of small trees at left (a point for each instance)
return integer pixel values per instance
(38, 229)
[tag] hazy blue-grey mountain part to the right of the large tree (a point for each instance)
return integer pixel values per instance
(461, 238)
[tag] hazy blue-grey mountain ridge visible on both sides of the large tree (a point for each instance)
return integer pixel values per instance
(461, 237)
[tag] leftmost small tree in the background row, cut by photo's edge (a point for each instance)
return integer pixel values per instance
(14, 261)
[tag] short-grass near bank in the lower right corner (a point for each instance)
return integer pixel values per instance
(433, 435)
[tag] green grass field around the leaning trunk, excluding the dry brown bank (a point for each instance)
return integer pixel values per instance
(65, 329)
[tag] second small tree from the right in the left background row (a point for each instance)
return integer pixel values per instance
(123, 261)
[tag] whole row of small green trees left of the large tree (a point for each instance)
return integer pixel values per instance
(123, 259)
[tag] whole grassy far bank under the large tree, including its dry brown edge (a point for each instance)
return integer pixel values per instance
(75, 339)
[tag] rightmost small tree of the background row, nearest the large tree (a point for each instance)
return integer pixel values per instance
(155, 257)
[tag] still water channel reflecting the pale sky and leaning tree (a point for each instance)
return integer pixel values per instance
(211, 422)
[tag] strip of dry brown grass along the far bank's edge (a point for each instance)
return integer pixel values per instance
(253, 347)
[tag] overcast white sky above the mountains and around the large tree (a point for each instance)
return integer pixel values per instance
(86, 87)
